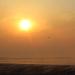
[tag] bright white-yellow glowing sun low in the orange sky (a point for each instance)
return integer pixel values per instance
(25, 25)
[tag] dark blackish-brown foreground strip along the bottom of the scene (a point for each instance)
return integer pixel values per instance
(25, 69)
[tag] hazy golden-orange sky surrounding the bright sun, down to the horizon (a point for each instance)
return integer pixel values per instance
(52, 36)
